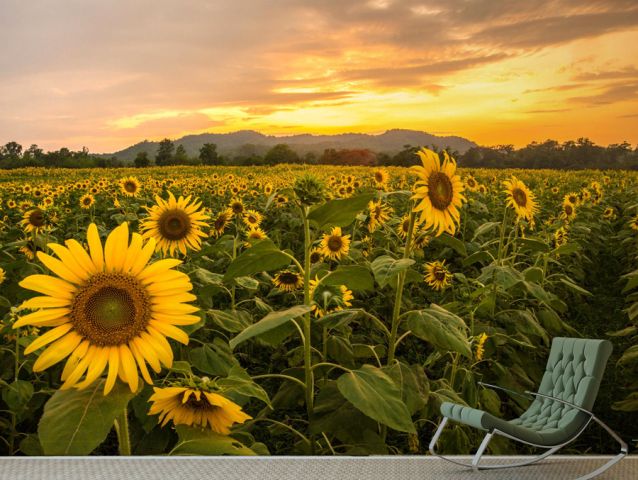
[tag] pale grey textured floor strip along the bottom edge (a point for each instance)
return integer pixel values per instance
(300, 468)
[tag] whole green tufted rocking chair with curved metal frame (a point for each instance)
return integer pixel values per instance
(559, 413)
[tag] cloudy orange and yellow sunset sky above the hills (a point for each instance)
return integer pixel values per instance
(108, 74)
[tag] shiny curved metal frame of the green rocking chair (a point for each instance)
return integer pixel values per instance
(550, 449)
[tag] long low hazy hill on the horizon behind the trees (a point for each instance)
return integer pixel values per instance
(250, 141)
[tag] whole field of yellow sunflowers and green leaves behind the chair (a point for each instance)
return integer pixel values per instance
(307, 310)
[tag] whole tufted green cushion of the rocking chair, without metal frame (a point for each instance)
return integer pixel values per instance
(574, 370)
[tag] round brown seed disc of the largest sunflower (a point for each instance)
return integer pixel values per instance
(110, 309)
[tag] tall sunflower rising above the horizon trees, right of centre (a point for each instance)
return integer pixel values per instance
(439, 190)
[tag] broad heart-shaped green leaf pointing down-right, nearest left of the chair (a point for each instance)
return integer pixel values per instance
(374, 393)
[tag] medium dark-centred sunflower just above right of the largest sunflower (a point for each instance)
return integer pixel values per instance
(175, 224)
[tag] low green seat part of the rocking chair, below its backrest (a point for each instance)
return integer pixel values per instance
(532, 433)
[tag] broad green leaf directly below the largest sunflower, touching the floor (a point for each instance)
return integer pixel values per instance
(75, 422)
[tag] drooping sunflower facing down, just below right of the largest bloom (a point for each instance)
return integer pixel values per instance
(196, 407)
